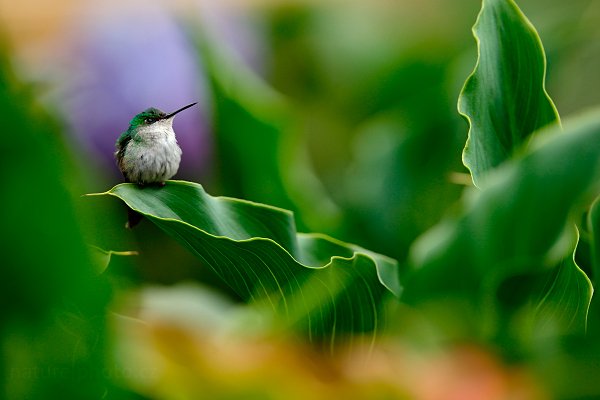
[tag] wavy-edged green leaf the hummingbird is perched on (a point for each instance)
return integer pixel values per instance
(321, 286)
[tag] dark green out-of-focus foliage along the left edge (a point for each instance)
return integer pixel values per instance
(53, 304)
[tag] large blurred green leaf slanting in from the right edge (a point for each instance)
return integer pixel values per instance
(514, 226)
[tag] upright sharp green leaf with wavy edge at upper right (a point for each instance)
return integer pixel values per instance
(504, 99)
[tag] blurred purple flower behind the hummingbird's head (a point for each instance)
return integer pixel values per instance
(126, 61)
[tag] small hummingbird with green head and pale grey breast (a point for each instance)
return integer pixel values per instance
(147, 152)
